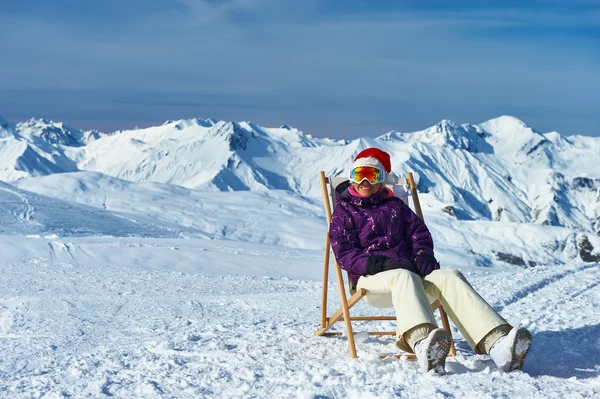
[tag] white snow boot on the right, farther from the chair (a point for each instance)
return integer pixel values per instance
(509, 351)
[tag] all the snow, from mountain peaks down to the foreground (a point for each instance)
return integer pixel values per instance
(126, 274)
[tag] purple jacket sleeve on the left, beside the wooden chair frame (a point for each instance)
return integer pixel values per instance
(345, 243)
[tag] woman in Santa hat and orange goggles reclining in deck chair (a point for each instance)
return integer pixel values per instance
(388, 251)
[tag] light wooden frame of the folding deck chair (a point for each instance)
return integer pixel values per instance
(403, 189)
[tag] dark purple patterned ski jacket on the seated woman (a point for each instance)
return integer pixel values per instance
(377, 225)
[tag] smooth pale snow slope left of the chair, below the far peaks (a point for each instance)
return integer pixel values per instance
(260, 217)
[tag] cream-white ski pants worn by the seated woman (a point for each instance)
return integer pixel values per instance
(411, 296)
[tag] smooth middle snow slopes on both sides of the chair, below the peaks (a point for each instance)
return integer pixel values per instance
(278, 217)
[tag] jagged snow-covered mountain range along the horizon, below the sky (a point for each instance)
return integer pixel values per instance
(501, 169)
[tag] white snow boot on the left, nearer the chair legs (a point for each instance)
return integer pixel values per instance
(432, 351)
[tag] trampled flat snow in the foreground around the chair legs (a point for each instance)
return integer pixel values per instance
(71, 330)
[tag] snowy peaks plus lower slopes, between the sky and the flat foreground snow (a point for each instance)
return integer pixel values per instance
(178, 180)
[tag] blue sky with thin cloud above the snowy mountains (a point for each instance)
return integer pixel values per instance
(340, 69)
